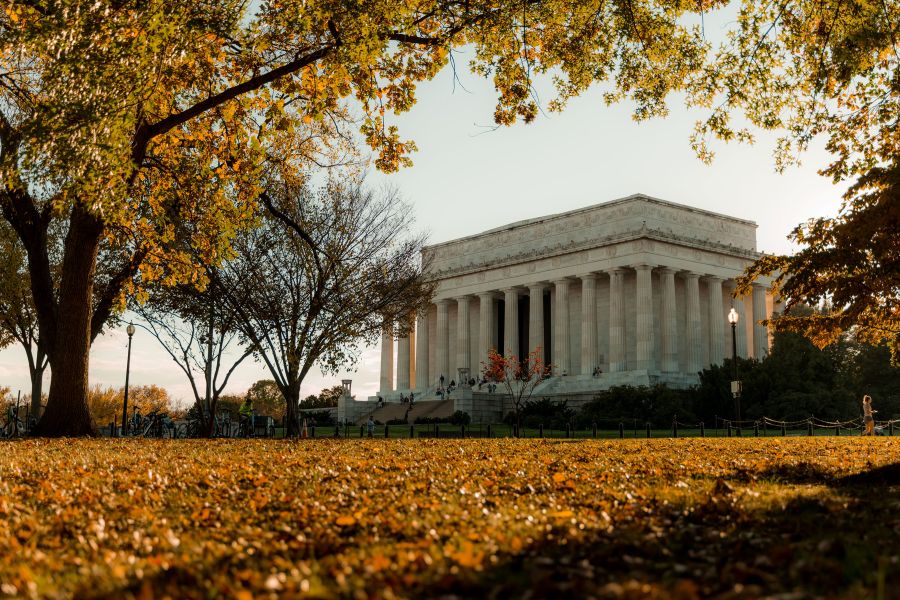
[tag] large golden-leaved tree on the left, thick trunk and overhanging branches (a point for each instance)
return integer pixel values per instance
(122, 120)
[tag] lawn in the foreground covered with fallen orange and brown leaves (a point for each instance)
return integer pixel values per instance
(682, 518)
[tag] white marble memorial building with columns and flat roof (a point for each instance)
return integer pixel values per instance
(634, 291)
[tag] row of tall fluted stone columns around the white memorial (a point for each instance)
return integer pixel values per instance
(645, 342)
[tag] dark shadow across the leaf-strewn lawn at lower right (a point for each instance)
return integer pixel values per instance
(837, 544)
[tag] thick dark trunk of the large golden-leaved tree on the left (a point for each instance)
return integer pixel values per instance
(67, 408)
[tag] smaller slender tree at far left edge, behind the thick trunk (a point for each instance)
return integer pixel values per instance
(18, 321)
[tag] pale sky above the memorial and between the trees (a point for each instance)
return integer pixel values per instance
(468, 177)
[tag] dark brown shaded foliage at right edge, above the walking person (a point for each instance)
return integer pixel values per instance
(849, 264)
